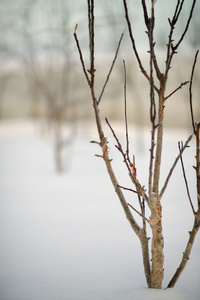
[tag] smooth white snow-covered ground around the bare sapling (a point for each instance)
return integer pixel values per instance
(64, 236)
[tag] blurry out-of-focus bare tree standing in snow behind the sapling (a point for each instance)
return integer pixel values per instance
(49, 79)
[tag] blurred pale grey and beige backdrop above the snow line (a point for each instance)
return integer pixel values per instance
(41, 75)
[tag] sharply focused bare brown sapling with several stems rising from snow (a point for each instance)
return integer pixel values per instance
(151, 196)
